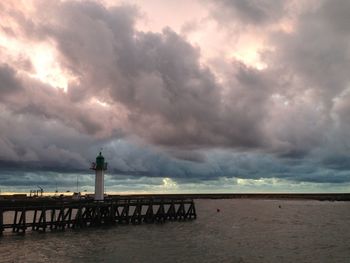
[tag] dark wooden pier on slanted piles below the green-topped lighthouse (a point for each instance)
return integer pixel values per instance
(44, 214)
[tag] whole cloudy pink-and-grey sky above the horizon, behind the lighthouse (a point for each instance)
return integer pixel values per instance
(182, 96)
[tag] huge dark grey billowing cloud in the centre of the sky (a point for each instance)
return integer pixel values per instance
(155, 77)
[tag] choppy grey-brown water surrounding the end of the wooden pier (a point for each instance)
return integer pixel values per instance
(243, 231)
